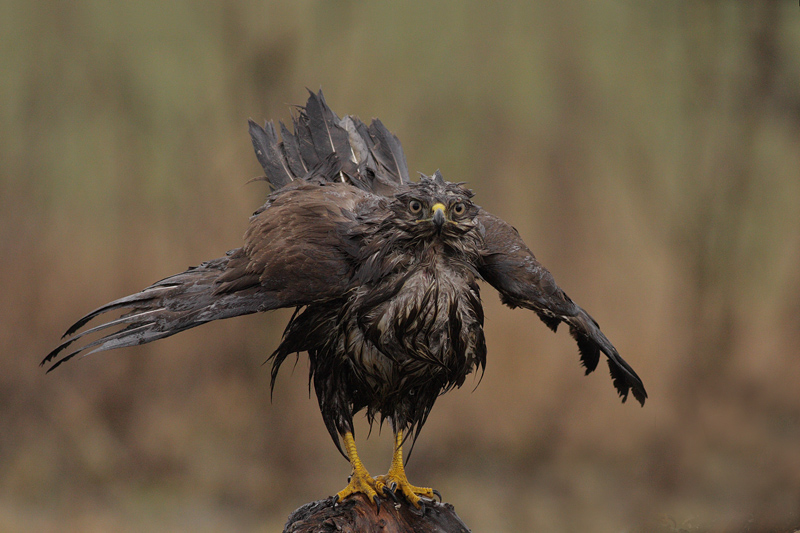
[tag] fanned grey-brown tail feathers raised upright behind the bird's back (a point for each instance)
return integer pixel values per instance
(325, 147)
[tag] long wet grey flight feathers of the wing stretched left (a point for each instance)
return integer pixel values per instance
(165, 308)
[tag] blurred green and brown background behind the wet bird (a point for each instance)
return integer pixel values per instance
(648, 152)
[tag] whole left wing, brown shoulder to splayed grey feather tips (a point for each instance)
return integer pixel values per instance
(297, 251)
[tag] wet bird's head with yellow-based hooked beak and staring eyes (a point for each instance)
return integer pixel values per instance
(433, 207)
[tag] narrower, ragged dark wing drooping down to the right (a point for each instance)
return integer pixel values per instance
(510, 267)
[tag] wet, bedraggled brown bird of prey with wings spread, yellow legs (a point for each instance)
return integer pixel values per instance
(382, 272)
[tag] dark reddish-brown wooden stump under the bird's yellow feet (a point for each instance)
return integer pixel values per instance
(357, 514)
